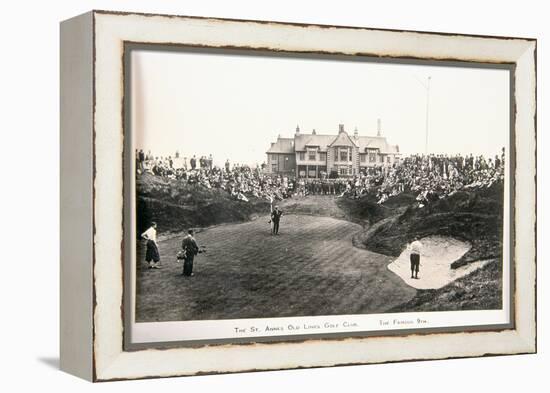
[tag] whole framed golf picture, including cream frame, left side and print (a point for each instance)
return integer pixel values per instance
(248, 195)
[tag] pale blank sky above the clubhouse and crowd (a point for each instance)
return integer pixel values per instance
(234, 106)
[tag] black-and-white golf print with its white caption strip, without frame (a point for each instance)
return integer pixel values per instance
(276, 193)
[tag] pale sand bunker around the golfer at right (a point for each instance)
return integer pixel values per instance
(435, 263)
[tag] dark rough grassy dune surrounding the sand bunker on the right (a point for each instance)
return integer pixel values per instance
(472, 216)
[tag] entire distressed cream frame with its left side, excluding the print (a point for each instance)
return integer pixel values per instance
(96, 195)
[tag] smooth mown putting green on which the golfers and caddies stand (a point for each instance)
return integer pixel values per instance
(309, 269)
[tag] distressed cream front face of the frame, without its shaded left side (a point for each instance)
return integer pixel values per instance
(111, 30)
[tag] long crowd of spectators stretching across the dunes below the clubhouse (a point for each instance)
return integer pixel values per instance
(429, 177)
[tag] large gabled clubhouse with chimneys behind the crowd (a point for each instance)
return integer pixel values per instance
(312, 155)
